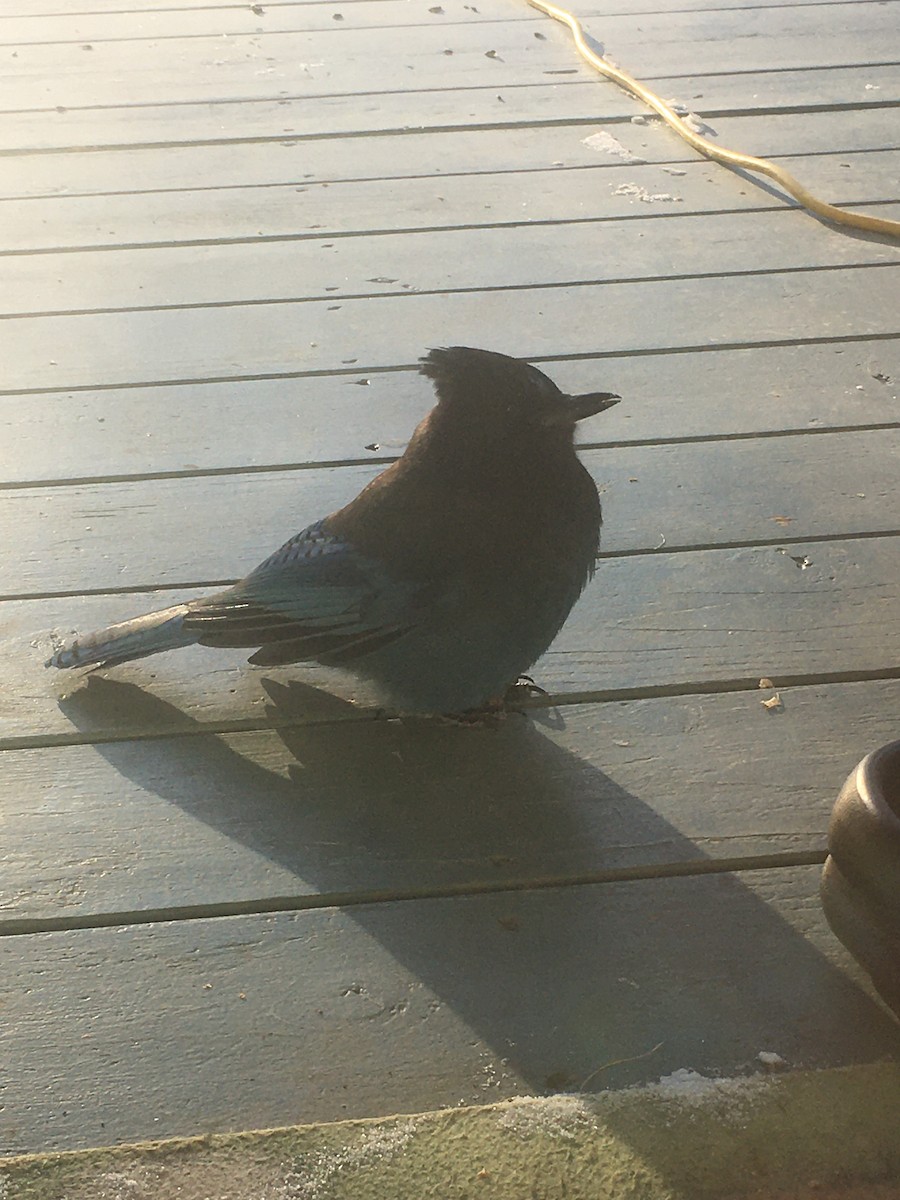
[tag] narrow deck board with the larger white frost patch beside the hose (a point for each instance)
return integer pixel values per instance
(298, 163)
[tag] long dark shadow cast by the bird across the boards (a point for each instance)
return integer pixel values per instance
(554, 980)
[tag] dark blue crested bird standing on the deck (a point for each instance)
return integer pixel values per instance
(451, 573)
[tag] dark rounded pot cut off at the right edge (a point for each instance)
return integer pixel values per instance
(861, 881)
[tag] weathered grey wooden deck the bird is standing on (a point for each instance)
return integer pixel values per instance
(232, 899)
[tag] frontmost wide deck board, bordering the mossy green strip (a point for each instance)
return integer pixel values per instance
(403, 1007)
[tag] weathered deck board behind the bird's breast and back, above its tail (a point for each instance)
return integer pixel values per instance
(165, 532)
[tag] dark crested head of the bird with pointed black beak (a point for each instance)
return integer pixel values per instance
(497, 398)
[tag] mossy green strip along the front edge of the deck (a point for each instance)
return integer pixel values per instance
(685, 1139)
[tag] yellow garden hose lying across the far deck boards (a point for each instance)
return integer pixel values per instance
(718, 154)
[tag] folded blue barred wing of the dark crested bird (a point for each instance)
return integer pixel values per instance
(317, 593)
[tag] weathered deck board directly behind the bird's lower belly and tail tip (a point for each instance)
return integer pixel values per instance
(691, 622)
